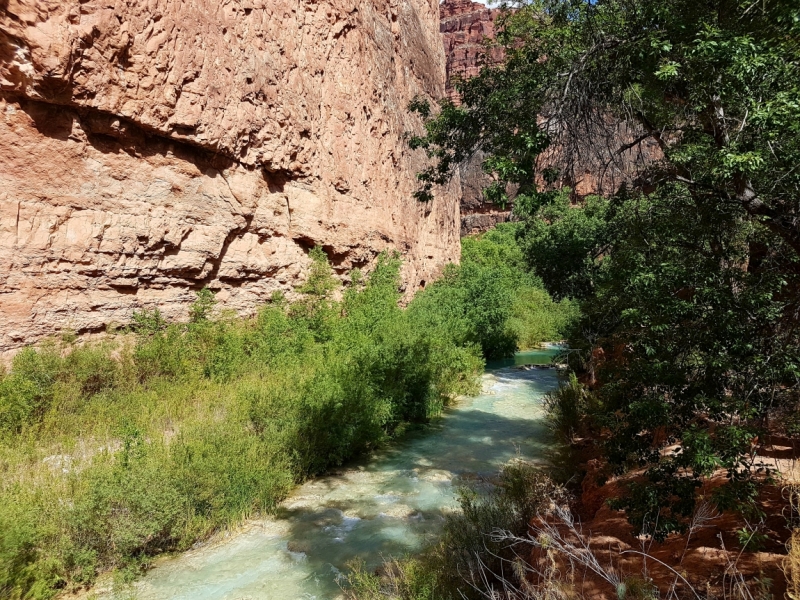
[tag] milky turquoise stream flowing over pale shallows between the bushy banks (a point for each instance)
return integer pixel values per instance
(390, 504)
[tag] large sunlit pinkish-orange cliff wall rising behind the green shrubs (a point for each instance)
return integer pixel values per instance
(151, 148)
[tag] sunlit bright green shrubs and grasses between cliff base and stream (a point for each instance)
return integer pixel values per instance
(113, 452)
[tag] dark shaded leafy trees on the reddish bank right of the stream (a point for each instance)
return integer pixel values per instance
(688, 273)
